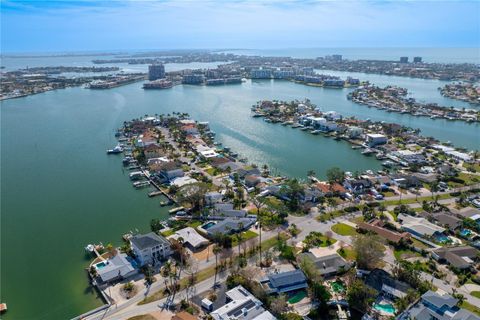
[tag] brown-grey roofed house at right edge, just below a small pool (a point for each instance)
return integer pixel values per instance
(462, 257)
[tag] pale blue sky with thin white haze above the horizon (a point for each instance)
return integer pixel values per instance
(62, 26)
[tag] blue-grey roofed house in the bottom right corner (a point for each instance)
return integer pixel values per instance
(437, 305)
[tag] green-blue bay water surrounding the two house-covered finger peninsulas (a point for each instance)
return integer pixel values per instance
(60, 190)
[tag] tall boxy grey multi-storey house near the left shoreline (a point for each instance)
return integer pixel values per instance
(150, 248)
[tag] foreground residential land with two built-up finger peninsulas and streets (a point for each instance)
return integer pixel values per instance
(399, 242)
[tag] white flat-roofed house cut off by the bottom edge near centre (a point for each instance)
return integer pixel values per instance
(241, 305)
